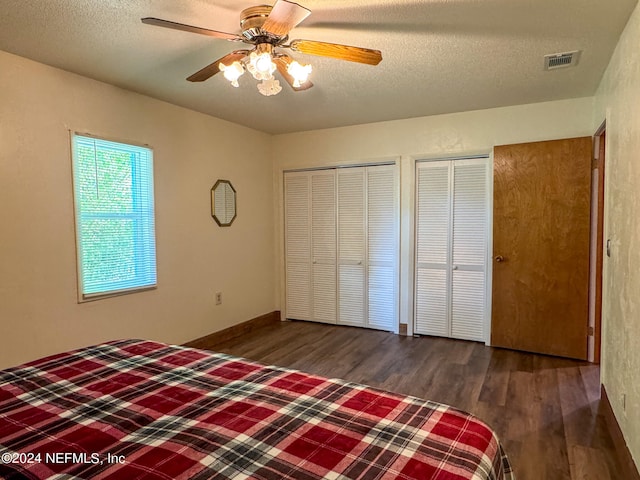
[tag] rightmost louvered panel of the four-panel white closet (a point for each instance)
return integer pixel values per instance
(382, 251)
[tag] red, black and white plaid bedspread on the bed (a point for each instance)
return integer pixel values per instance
(136, 409)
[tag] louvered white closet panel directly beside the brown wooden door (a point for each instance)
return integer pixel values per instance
(469, 249)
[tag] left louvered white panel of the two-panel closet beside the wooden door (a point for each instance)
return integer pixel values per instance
(433, 209)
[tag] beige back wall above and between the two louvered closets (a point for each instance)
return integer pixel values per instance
(405, 141)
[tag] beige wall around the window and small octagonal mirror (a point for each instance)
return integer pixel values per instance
(39, 313)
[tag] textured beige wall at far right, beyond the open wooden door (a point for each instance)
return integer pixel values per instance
(618, 101)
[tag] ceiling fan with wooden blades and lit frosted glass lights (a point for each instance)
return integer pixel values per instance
(267, 29)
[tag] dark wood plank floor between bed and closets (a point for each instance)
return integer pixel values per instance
(544, 409)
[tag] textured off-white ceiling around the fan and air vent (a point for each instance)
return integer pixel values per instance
(439, 56)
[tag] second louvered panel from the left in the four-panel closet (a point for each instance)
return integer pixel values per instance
(323, 241)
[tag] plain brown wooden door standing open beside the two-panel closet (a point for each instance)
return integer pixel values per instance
(541, 217)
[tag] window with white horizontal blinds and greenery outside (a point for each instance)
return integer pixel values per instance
(115, 233)
